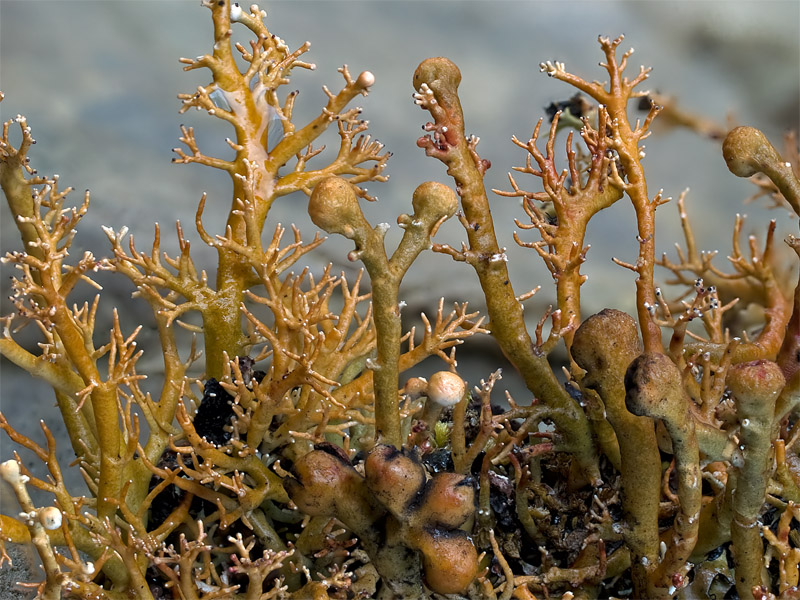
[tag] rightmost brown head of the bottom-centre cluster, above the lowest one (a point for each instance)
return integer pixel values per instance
(447, 501)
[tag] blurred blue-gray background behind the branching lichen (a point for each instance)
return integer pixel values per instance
(98, 82)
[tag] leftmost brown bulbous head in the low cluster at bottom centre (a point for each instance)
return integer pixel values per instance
(320, 477)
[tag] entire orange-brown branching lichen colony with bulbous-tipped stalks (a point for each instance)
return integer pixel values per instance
(659, 460)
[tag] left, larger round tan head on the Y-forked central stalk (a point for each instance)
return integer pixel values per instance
(334, 208)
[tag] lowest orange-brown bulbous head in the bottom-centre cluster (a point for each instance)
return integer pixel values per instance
(449, 559)
